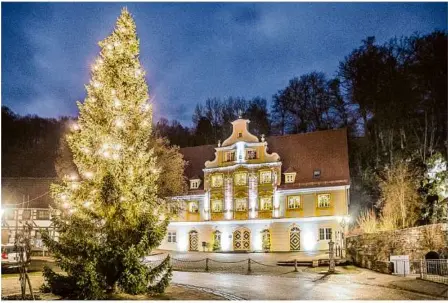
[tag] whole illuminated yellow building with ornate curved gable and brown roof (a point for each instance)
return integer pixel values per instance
(282, 193)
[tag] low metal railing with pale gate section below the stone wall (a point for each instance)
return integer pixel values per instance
(431, 270)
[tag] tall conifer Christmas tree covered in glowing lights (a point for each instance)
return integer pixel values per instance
(111, 211)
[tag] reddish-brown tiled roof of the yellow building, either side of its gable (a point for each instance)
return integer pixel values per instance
(326, 151)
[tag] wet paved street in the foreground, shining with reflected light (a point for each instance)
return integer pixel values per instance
(280, 288)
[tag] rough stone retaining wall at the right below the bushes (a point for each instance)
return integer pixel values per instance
(373, 251)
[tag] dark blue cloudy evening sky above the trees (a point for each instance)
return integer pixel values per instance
(191, 51)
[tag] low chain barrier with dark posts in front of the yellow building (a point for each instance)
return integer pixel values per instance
(244, 266)
